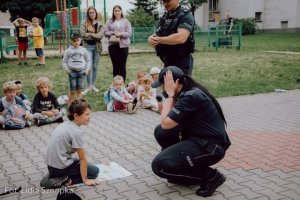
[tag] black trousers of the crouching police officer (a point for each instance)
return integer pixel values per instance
(186, 160)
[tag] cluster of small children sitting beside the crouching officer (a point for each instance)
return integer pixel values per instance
(138, 93)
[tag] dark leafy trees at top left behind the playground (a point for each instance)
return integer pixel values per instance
(30, 8)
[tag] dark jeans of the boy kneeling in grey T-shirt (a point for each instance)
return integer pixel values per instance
(73, 172)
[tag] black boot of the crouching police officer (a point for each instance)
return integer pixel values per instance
(211, 185)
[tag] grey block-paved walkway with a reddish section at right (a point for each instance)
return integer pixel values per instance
(262, 163)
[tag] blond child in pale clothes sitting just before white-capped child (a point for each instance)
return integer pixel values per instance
(147, 94)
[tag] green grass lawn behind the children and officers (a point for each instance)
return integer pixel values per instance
(226, 72)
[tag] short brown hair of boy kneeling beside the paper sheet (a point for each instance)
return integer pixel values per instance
(77, 106)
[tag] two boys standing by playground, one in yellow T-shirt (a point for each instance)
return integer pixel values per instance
(25, 29)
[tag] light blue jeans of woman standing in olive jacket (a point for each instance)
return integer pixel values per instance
(95, 57)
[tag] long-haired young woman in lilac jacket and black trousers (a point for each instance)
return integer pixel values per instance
(118, 50)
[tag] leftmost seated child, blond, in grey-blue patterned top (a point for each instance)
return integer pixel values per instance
(13, 112)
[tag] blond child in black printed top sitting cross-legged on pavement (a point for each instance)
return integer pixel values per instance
(45, 107)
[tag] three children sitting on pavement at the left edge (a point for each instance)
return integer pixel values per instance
(16, 110)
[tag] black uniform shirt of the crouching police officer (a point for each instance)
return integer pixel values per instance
(199, 118)
